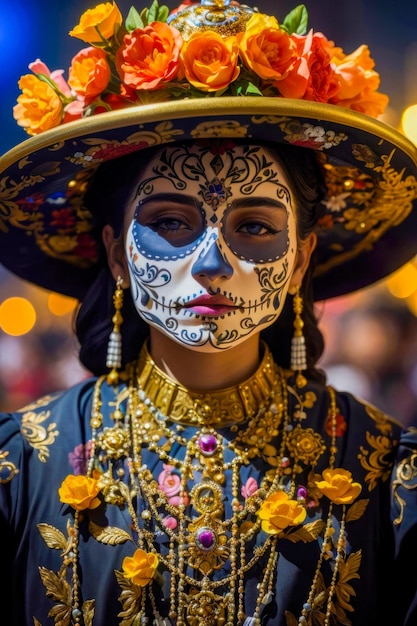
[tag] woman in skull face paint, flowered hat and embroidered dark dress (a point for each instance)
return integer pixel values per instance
(205, 474)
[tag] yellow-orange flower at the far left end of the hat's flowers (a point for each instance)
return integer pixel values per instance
(39, 107)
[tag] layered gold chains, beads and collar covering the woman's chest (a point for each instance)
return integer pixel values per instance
(200, 518)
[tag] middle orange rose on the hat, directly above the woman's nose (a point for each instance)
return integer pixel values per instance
(210, 61)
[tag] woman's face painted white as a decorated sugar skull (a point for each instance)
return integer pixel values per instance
(211, 243)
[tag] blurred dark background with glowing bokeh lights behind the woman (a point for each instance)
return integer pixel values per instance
(371, 336)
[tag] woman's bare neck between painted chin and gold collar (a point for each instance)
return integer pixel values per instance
(201, 370)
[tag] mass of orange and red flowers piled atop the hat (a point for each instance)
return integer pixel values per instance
(198, 50)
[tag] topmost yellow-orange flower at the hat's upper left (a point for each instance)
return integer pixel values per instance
(98, 23)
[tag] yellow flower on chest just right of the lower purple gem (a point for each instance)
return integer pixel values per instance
(279, 511)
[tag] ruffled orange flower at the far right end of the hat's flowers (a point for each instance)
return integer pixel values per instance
(358, 82)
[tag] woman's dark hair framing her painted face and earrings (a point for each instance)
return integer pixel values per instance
(107, 197)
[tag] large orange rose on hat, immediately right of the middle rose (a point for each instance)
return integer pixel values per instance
(266, 49)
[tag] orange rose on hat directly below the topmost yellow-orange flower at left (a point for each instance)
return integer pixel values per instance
(89, 73)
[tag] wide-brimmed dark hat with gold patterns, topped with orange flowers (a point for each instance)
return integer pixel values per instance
(368, 226)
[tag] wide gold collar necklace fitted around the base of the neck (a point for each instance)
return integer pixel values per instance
(225, 407)
